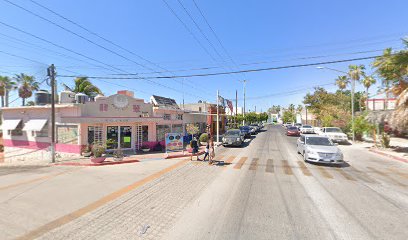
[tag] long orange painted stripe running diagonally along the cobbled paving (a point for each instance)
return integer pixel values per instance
(108, 198)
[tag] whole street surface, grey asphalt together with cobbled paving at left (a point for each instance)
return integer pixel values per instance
(263, 190)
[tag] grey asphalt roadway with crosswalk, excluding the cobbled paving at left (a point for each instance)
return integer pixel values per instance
(275, 195)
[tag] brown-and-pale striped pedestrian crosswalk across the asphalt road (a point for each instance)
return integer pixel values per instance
(288, 168)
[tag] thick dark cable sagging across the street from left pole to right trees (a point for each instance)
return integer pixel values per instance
(246, 71)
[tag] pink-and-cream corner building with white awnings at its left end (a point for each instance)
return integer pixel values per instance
(128, 121)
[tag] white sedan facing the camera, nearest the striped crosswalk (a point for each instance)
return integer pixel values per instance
(316, 148)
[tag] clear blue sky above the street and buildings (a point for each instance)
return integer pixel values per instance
(255, 34)
